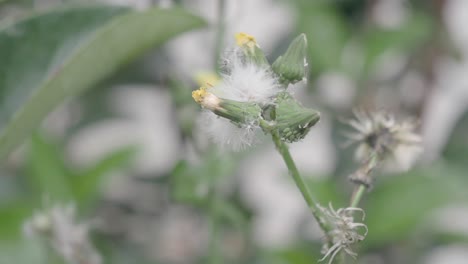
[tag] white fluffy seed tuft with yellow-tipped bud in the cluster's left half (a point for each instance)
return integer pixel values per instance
(237, 100)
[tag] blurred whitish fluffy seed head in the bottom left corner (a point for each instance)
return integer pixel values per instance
(67, 237)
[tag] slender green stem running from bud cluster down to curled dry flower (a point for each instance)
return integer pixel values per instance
(294, 172)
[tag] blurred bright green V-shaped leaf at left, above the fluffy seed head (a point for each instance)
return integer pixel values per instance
(53, 180)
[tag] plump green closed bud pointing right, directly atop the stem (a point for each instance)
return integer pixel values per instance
(292, 119)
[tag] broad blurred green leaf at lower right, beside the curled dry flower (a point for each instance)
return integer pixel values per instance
(400, 203)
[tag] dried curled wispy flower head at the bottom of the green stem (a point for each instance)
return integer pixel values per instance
(345, 232)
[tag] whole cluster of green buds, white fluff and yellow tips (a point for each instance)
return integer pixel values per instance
(252, 91)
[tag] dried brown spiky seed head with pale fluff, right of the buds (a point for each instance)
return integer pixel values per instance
(378, 135)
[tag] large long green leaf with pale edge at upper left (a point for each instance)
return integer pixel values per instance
(49, 57)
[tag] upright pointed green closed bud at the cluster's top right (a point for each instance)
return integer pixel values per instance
(291, 67)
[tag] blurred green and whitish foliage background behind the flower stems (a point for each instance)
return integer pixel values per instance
(122, 141)
